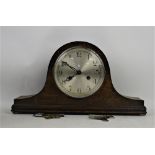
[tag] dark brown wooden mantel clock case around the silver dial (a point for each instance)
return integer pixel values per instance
(105, 101)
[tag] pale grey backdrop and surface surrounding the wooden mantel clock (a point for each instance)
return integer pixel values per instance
(26, 52)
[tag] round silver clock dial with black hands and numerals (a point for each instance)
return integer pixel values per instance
(79, 72)
